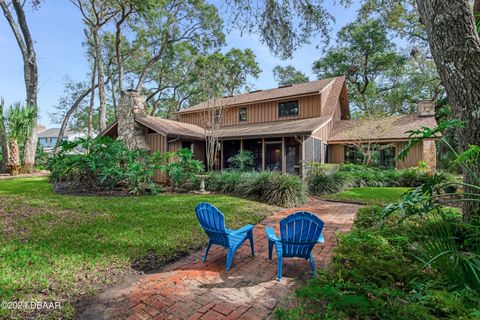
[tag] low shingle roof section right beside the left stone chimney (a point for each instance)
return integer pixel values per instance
(171, 127)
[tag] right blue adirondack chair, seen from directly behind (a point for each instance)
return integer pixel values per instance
(299, 233)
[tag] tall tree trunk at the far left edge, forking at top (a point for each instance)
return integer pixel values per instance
(30, 72)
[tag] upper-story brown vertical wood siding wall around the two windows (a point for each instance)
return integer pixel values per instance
(310, 107)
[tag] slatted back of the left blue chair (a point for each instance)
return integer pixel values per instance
(213, 222)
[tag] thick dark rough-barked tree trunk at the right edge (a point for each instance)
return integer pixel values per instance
(455, 46)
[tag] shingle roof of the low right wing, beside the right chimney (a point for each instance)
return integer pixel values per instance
(385, 128)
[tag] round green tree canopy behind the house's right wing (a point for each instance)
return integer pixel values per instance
(369, 59)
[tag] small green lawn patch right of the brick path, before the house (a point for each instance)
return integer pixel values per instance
(380, 195)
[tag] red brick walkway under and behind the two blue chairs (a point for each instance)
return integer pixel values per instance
(191, 289)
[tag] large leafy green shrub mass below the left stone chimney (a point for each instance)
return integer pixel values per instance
(103, 164)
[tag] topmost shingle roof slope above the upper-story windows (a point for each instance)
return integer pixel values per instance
(263, 95)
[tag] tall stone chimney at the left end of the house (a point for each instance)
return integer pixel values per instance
(134, 135)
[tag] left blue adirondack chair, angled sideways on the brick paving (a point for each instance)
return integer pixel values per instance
(213, 222)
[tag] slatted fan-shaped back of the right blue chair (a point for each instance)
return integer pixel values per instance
(299, 234)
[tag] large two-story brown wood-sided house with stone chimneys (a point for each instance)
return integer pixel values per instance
(283, 127)
